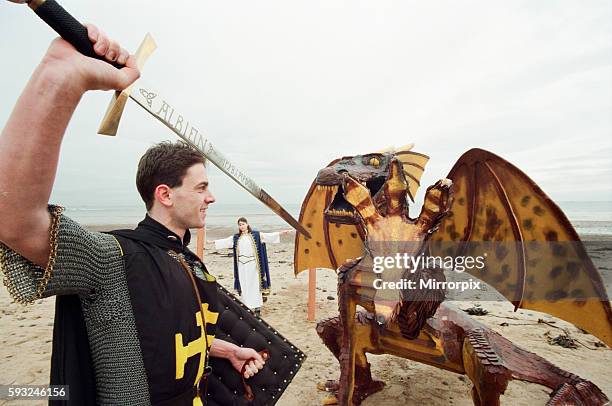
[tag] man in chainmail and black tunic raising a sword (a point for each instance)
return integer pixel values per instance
(136, 312)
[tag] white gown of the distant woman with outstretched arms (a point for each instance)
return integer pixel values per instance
(248, 273)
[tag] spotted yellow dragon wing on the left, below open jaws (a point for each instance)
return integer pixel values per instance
(330, 244)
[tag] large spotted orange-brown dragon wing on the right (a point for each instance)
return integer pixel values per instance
(538, 261)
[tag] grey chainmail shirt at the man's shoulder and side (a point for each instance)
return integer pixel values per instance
(90, 264)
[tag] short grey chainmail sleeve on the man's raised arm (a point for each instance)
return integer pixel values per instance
(78, 260)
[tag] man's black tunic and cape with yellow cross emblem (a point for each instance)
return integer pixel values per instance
(166, 312)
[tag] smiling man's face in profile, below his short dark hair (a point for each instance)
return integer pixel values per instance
(192, 198)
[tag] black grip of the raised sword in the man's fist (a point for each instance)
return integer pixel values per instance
(68, 27)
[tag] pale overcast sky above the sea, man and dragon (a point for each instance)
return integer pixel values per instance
(283, 87)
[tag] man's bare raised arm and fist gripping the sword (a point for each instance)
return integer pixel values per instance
(30, 141)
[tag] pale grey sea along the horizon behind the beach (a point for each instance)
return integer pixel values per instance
(588, 217)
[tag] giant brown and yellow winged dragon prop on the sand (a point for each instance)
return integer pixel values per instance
(357, 209)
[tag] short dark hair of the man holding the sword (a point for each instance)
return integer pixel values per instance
(165, 163)
